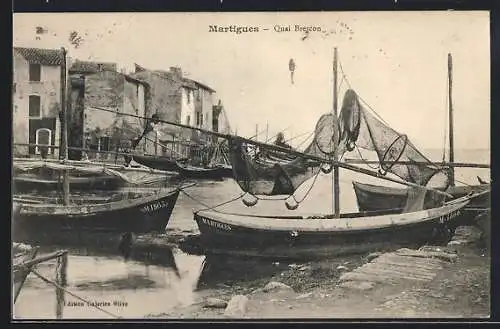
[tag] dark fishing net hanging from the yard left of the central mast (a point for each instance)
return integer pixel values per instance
(263, 170)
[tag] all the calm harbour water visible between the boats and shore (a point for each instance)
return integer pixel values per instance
(138, 289)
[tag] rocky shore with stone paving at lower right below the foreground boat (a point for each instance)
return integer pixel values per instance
(450, 281)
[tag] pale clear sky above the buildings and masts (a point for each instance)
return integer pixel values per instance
(396, 62)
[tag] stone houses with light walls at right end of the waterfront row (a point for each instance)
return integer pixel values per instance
(181, 100)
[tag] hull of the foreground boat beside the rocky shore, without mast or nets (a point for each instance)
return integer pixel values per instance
(322, 236)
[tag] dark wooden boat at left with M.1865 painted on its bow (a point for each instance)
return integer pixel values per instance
(123, 212)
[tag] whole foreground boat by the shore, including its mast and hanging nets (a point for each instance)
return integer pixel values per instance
(414, 222)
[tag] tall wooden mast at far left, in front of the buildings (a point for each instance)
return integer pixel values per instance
(64, 127)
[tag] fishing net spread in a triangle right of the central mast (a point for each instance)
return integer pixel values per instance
(396, 154)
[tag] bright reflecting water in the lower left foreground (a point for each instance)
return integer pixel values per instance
(124, 288)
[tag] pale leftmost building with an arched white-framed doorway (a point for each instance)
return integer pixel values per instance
(36, 100)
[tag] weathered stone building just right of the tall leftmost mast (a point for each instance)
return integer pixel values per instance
(99, 101)
